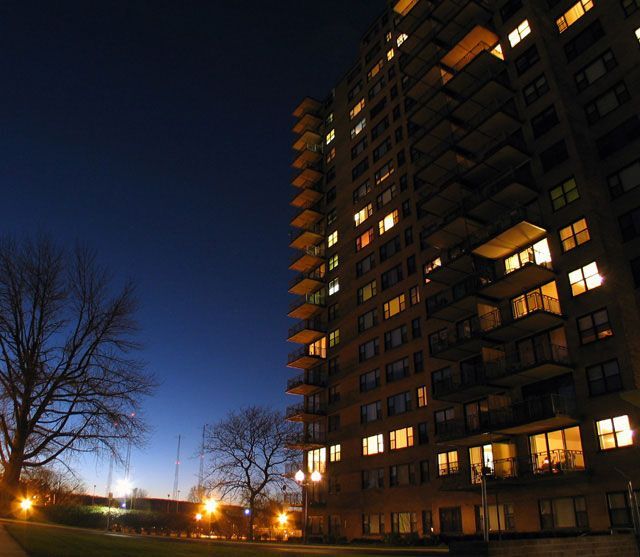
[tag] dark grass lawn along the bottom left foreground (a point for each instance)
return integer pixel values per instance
(46, 541)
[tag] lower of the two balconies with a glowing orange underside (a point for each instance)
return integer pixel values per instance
(510, 231)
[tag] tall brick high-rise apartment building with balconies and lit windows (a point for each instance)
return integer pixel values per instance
(467, 235)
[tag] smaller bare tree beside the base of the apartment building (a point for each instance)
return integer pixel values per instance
(247, 456)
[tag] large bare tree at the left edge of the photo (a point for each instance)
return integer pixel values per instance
(68, 380)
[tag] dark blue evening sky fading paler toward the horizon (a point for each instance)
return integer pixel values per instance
(159, 133)
